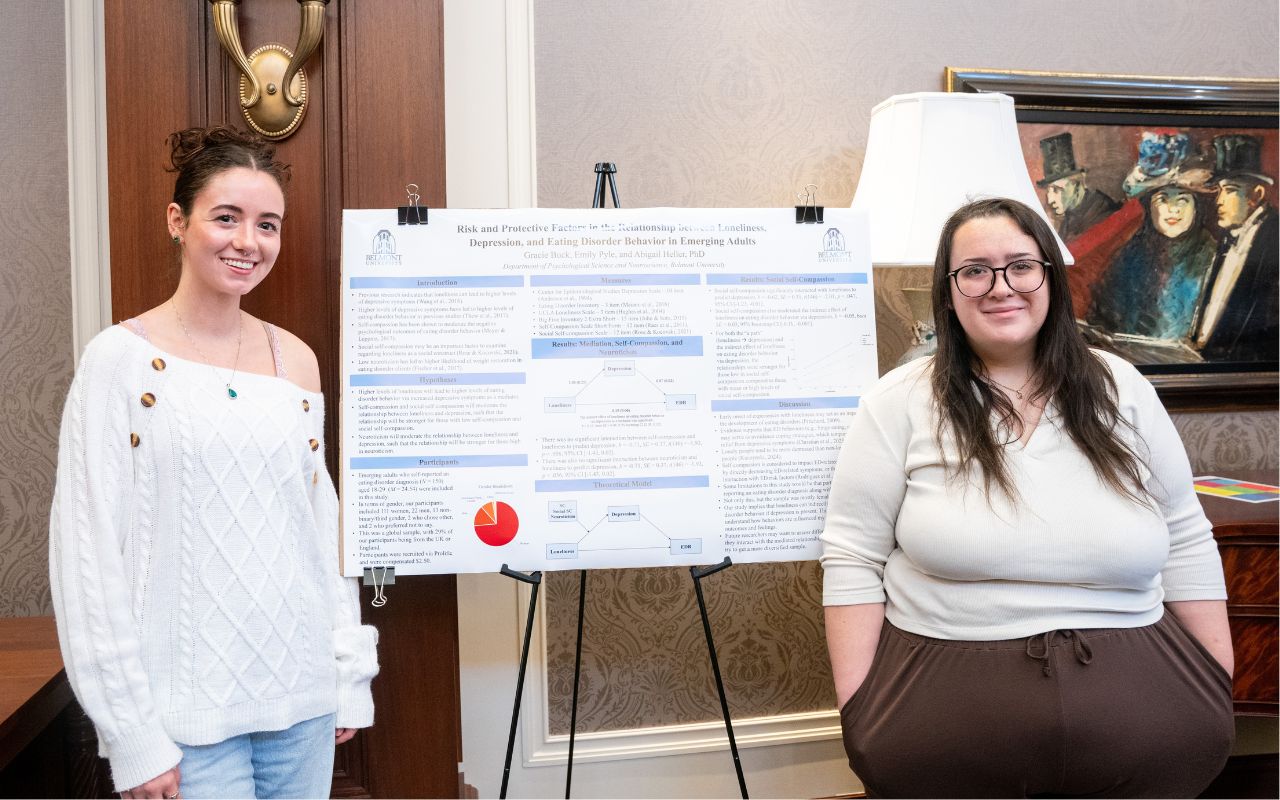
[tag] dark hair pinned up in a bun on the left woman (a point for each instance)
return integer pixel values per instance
(200, 154)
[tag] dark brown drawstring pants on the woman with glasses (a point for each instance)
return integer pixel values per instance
(1099, 714)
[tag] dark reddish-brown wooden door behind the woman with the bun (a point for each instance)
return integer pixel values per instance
(377, 122)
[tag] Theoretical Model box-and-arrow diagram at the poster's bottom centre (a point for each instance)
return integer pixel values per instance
(621, 528)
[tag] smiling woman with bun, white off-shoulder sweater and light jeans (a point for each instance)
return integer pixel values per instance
(194, 557)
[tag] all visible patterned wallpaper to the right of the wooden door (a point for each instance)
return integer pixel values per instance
(740, 104)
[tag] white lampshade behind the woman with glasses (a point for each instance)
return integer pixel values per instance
(927, 156)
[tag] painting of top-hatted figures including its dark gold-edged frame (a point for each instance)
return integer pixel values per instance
(1165, 193)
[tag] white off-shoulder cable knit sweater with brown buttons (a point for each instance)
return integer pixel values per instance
(194, 559)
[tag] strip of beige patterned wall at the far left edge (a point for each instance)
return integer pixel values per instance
(35, 294)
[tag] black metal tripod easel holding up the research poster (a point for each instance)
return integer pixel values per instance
(605, 173)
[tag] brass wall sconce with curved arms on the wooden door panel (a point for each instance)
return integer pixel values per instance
(273, 89)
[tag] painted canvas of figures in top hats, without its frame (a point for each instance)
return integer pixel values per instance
(1174, 232)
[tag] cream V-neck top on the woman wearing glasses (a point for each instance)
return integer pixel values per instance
(950, 563)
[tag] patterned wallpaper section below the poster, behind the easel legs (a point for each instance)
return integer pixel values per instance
(644, 653)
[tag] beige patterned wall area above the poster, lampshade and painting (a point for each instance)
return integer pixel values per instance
(740, 103)
